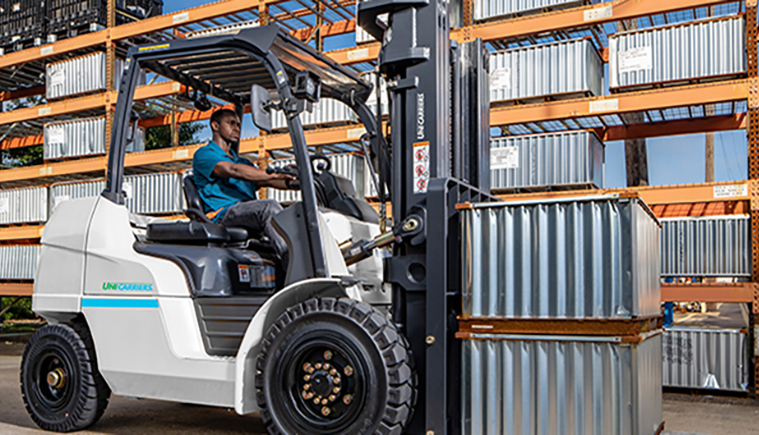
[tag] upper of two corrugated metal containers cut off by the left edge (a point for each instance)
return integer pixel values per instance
(23, 205)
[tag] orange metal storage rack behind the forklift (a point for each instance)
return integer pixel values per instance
(667, 111)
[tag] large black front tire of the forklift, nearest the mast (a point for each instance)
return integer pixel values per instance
(346, 347)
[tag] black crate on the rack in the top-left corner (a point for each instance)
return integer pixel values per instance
(22, 24)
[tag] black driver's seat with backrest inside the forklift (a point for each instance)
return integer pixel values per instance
(200, 229)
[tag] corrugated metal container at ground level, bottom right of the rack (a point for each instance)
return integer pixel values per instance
(705, 358)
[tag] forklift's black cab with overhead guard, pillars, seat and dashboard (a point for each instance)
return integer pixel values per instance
(268, 70)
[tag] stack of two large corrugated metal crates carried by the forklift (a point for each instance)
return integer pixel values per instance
(560, 318)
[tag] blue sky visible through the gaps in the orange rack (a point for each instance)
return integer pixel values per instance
(671, 160)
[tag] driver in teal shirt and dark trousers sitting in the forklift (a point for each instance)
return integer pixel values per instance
(227, 183)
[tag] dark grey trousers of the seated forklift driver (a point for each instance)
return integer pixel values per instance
(255, 216)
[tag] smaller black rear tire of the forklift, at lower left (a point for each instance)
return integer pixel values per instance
(60, 383)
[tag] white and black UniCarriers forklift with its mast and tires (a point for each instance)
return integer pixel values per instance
(356, 336)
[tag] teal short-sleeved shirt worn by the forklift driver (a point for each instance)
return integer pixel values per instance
(217, 193)
